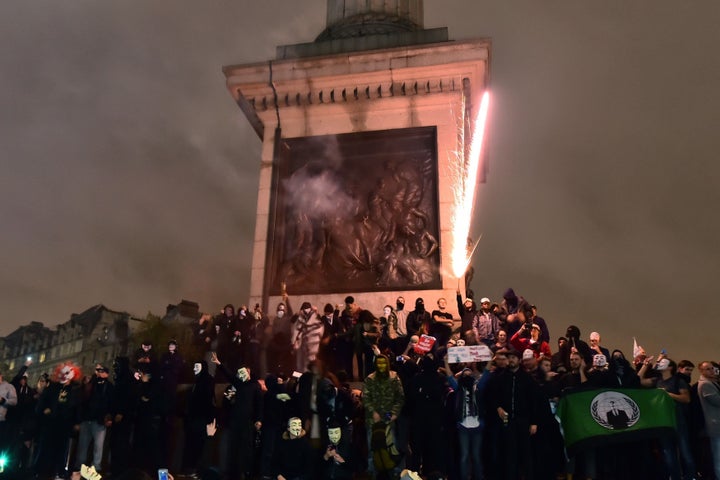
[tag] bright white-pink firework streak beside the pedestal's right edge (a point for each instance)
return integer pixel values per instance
(466, 197)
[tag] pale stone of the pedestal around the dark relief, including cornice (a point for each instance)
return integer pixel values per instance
(410, 90)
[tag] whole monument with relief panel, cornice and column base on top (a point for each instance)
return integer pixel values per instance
(361, 131)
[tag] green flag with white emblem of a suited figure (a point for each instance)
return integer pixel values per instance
(590, 418)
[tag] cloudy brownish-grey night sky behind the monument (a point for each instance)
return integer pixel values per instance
(129, 176)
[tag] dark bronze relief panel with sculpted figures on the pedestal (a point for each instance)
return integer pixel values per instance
(358, 222)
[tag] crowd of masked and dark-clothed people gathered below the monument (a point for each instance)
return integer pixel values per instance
(339, 392)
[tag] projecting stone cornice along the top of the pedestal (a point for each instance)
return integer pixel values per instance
(358, 77)
